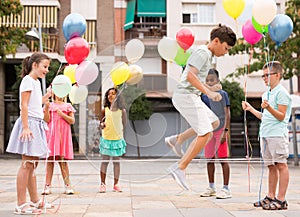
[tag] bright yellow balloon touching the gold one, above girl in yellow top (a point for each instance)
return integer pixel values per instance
(119, 73)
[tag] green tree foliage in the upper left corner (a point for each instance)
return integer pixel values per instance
(10, 37)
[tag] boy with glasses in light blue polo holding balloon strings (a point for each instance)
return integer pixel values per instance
(276, 105)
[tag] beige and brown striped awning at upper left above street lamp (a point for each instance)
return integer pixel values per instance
(28, 17)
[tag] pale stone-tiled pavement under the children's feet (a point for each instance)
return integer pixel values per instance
(149, 191)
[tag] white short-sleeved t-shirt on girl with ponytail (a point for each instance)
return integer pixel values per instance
(35, 105)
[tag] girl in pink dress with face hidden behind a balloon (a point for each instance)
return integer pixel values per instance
(59, 115)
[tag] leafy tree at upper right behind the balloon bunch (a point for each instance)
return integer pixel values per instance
(288, 53)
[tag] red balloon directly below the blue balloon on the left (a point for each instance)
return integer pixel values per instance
(76, 50)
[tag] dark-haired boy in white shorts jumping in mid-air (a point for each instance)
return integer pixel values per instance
(187, 100)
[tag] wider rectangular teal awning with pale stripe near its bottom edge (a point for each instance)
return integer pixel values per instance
(151, 8)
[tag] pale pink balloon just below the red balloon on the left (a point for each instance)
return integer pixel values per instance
(86, 73)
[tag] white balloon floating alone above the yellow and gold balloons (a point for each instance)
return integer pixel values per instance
(134, 50)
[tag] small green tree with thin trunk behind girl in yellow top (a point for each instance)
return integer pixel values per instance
(138, 108)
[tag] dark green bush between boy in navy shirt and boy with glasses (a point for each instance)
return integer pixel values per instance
(236, 95)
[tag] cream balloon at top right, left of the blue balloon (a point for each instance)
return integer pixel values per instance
(264, 11)
